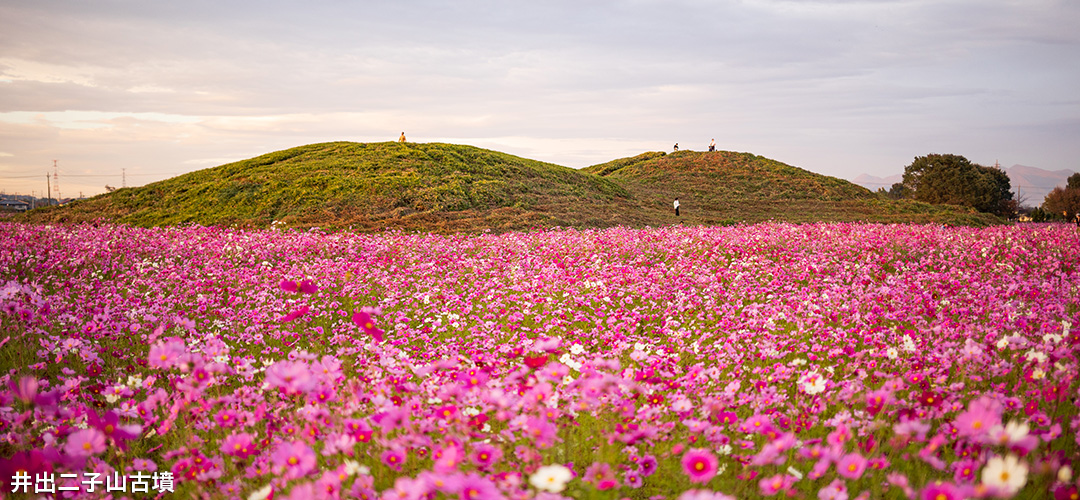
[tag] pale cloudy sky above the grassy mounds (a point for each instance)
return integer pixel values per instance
(133, 92)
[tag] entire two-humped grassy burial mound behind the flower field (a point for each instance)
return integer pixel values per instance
(448, 188)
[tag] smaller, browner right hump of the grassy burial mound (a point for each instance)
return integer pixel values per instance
(725, 187)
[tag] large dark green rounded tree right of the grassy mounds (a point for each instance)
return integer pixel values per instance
(955, 181)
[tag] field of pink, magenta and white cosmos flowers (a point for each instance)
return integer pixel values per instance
(820, 361)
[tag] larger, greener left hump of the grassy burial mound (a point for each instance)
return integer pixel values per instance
(434, 187)
